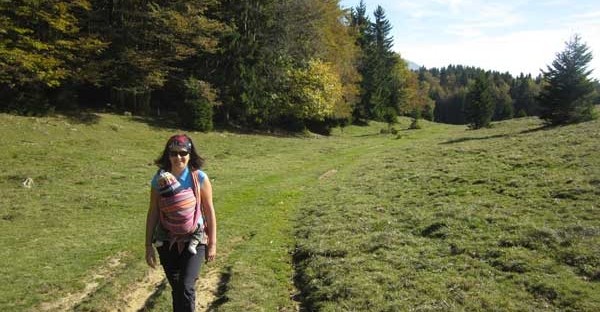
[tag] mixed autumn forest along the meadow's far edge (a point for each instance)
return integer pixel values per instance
(259, 64)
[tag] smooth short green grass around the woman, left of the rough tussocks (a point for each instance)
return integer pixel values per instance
(90, 184)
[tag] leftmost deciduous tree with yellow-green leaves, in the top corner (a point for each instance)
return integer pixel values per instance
(42, 46)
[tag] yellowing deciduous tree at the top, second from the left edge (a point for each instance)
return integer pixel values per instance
(152, 42)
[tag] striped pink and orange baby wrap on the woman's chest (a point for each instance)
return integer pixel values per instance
(180, 213)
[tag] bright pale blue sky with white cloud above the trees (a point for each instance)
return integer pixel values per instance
(510, 35)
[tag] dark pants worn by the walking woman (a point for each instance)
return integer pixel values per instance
(182, 272)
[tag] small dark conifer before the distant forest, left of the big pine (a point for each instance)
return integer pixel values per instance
(479, 106)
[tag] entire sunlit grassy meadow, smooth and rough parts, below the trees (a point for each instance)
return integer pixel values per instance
(437, 219)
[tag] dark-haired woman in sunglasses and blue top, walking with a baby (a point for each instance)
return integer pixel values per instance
(181, 266)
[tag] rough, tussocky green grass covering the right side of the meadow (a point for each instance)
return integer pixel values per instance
(498, 219)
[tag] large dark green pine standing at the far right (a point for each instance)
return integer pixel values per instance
(567, 95)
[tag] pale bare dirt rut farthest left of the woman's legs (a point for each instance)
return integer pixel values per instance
(67, 303)
